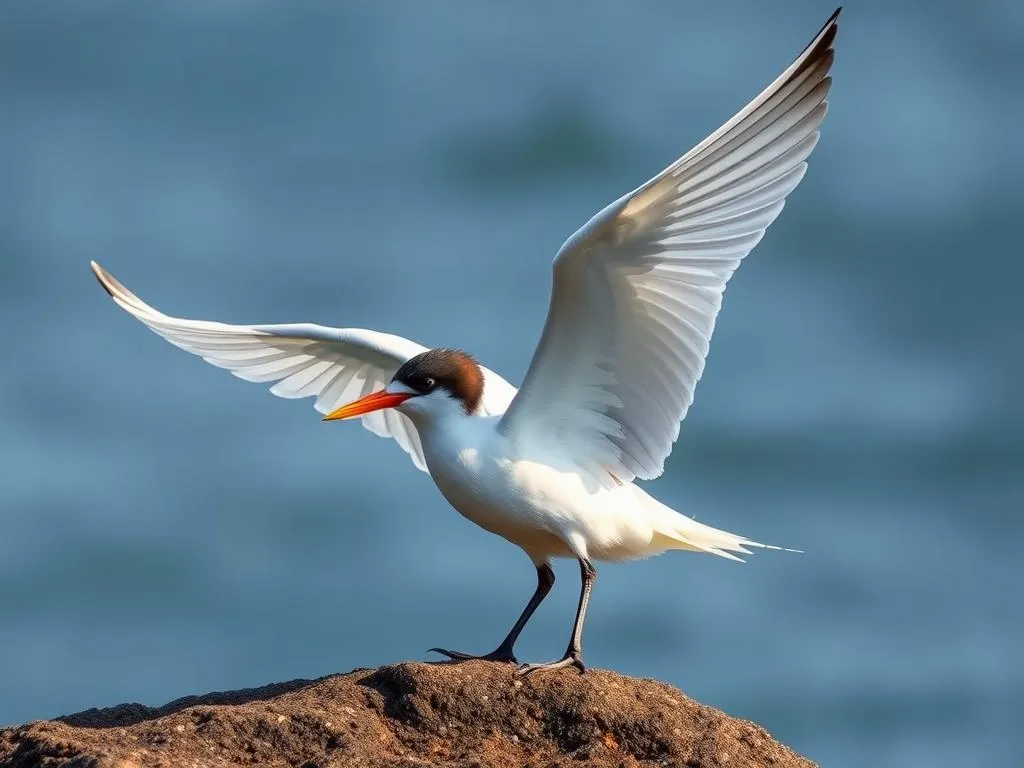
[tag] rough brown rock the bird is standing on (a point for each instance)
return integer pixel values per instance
(411, 715)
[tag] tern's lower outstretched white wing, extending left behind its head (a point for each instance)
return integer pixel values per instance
(336, 365)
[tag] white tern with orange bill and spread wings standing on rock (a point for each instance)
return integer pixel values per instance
(551, 467)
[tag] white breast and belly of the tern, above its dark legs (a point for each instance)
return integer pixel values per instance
(546, 513)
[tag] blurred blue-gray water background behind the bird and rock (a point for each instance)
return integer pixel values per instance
(413, 167)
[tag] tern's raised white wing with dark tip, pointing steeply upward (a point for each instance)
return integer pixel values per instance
(637, 290)
